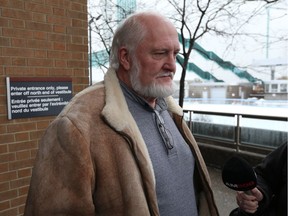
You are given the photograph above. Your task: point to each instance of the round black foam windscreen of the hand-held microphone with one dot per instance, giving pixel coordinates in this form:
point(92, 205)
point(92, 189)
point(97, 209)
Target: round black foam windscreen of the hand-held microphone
point(238, 175)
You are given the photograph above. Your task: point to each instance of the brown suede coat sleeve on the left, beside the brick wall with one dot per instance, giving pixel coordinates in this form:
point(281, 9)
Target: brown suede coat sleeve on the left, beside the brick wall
point(63, 177)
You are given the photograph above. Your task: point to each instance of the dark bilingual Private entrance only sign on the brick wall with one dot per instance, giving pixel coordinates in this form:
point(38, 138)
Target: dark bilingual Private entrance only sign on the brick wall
point(37, 96)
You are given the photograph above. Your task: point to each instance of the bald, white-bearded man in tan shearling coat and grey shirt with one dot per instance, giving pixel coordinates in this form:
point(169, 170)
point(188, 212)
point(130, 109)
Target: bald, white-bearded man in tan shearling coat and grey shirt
point(121, 146)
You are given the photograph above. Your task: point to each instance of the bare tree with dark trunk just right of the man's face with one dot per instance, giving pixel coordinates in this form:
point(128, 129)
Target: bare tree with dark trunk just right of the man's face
point(197, 18)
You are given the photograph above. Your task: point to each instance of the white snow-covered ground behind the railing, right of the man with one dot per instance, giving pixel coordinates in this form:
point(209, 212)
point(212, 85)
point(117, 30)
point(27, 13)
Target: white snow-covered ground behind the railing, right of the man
point(242, 107)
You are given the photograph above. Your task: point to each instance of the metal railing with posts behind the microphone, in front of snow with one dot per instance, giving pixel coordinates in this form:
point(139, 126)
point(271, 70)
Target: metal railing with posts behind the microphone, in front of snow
point(235, 138)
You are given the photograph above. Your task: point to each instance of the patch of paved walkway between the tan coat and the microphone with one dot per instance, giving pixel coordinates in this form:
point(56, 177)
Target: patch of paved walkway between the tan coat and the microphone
point(225, 197)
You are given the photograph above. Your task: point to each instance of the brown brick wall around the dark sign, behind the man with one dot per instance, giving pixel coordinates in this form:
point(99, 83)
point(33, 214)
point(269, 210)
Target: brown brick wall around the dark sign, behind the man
point(38, 38)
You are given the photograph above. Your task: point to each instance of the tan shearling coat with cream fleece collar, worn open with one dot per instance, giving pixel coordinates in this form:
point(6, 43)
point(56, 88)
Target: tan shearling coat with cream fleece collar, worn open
point(92, 160)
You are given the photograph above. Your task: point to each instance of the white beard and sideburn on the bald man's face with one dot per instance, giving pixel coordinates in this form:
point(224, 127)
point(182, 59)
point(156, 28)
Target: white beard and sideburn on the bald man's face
point(152, 90)
